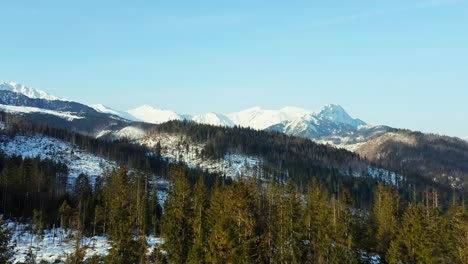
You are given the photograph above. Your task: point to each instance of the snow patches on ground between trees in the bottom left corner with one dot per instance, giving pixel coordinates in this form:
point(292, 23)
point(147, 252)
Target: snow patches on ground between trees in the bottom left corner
point(55, 246)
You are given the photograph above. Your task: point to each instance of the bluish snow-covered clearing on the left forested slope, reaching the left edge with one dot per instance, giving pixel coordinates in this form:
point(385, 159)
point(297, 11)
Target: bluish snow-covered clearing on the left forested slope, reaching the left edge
point(78, 161)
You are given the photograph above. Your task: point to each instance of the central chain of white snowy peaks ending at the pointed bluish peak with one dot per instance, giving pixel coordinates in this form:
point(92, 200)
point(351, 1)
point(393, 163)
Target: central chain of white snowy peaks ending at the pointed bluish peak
point(332, 124)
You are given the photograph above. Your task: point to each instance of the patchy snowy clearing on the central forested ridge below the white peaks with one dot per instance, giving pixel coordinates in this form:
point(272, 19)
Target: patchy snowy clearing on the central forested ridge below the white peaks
point(174, 148)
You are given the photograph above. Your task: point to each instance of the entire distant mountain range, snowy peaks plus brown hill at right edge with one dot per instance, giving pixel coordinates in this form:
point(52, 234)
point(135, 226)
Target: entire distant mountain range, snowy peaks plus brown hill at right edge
point(438, 158)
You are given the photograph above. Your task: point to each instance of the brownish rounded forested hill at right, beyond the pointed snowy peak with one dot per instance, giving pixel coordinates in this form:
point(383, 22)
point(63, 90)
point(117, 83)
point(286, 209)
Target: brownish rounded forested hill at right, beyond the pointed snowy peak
point(438, 158)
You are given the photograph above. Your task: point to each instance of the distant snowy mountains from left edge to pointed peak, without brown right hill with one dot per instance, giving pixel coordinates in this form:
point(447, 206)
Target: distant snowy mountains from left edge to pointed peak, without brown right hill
point(331, 124)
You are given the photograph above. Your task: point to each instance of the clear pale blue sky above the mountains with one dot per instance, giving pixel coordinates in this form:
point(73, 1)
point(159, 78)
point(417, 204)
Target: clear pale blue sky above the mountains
point(402, 63)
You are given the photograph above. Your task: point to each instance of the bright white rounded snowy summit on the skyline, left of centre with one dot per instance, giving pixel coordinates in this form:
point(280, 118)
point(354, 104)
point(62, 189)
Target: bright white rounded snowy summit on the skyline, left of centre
point(153, 115)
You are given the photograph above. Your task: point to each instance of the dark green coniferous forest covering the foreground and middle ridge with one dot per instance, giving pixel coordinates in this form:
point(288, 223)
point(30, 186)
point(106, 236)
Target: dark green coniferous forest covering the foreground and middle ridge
point(320, 216)
